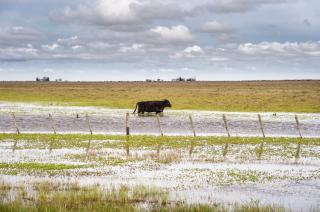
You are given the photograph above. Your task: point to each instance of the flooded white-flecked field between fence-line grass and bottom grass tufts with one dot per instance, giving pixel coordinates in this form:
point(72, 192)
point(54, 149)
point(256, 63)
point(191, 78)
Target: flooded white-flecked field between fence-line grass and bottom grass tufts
point(204, 174)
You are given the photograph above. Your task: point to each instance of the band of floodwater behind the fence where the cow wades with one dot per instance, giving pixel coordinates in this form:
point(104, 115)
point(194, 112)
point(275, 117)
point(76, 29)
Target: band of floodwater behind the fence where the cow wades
point(32, 118)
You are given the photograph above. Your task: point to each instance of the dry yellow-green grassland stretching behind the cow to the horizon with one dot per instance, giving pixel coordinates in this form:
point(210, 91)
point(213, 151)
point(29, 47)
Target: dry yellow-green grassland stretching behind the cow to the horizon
point(286, 96)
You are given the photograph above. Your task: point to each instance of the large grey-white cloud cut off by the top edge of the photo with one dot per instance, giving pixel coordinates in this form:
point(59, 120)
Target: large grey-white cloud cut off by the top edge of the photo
point(120, 12)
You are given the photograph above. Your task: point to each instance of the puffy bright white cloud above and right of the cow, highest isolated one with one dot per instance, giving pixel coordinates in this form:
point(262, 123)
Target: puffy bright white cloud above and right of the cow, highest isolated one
point(179, 33)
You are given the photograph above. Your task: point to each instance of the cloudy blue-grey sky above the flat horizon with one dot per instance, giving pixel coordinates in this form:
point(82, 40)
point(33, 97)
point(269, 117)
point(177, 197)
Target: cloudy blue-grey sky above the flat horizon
point(139, 39)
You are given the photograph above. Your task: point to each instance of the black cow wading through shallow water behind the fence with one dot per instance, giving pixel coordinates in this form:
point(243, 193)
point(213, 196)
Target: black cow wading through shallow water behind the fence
point(152, 106)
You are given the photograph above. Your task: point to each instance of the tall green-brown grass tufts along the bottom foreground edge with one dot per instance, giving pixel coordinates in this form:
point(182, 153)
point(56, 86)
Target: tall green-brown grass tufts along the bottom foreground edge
point(61, 198)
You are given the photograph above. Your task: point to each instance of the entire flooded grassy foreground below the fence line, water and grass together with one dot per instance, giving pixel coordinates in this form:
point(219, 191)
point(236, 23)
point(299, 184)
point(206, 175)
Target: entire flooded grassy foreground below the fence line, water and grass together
point(46, 172)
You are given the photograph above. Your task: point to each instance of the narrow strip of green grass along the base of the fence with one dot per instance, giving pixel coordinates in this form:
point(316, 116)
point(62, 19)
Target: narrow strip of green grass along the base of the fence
point(137, 141)
